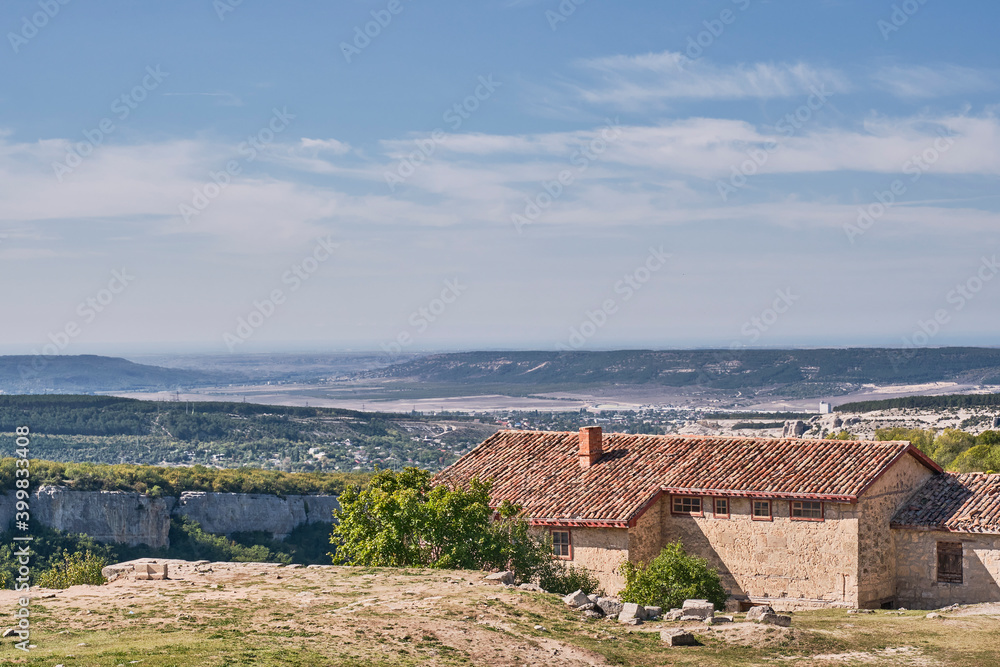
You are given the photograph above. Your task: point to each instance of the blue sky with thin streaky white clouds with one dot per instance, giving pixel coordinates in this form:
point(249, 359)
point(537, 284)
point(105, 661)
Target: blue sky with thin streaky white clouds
point(520, 174)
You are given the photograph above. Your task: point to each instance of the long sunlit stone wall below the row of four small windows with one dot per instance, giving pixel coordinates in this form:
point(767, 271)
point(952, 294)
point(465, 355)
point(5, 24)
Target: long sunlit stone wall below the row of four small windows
point(787, 563)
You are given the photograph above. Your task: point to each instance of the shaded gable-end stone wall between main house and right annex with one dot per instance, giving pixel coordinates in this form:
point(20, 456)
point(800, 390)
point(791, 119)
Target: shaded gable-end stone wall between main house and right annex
point(876, 553)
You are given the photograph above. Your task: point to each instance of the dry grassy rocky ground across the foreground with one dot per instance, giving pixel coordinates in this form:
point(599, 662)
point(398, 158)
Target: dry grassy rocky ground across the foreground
point(214, 614)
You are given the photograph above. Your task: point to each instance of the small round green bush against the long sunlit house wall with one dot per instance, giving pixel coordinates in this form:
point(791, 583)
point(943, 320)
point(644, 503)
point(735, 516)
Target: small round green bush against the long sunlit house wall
point(671, 578)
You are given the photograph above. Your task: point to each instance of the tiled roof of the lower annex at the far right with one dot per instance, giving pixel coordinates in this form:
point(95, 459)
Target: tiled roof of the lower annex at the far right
point(967, 503)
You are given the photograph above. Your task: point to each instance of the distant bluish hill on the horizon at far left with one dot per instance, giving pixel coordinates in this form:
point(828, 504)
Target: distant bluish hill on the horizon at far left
point(35, 374)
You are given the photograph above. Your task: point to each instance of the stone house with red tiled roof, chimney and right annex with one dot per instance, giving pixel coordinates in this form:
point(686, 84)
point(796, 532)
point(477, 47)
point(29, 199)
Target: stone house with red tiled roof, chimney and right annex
point(789, 522)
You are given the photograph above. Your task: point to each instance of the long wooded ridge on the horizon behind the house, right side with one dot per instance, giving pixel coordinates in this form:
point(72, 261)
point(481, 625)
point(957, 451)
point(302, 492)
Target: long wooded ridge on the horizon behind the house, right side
point(715, 369)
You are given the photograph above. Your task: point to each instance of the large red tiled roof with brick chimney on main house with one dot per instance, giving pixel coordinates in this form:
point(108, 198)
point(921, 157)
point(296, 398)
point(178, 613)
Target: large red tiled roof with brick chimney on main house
point(540, 471)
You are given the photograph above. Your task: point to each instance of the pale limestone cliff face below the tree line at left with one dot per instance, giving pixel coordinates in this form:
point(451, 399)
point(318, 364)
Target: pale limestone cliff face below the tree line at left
point(134, 519)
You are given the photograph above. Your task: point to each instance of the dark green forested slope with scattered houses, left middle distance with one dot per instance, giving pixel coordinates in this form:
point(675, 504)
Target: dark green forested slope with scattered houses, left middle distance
point(105, 429)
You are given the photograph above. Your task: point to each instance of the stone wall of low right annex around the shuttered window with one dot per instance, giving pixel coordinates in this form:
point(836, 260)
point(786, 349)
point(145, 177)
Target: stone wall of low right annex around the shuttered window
point(917, 586)
